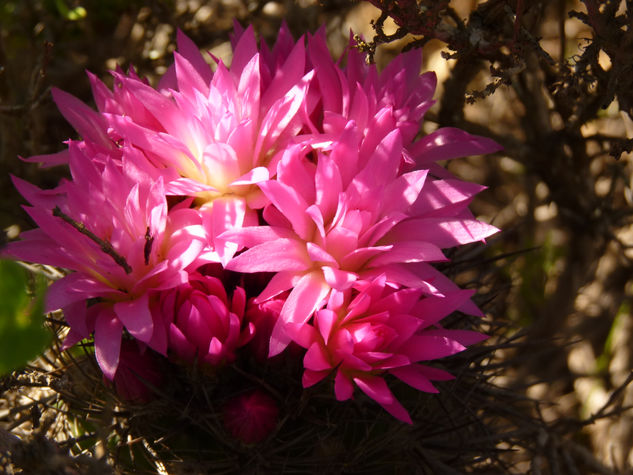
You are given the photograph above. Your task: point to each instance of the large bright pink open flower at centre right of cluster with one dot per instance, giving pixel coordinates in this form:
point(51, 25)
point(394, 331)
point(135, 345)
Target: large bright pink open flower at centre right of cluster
point(351, 216)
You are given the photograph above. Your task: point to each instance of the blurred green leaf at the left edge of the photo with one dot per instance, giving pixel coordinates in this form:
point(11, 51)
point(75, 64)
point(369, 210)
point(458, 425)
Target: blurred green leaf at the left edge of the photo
point(22, 332)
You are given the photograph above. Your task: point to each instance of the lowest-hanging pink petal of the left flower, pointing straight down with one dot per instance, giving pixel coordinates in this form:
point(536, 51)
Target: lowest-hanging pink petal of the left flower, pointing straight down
point(108, 330)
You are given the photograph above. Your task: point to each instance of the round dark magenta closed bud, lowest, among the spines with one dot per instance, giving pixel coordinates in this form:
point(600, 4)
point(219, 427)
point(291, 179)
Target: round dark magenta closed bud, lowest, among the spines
point(251, 417)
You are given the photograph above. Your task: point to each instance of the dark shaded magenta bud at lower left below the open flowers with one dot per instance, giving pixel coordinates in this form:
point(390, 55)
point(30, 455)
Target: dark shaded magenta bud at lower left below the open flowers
point(138, 368)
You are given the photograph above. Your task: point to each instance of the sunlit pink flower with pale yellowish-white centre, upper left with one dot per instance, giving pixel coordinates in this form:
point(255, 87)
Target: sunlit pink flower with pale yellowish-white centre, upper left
point(211, 135)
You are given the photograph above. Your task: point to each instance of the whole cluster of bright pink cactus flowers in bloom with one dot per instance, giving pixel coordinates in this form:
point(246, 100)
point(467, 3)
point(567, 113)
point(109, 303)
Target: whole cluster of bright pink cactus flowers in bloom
point(284, 165)
